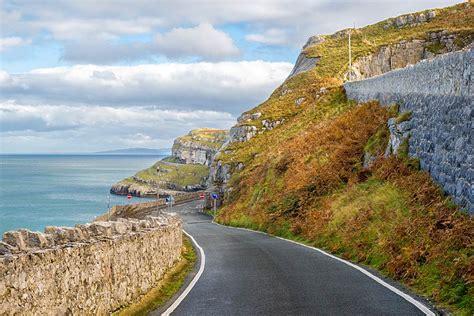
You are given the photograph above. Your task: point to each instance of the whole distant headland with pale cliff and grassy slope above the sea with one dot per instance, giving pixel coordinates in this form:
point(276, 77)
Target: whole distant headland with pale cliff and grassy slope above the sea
point(186, 170)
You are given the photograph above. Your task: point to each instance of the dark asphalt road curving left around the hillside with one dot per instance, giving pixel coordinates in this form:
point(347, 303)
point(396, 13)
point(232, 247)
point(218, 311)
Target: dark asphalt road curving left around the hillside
point(248, 273)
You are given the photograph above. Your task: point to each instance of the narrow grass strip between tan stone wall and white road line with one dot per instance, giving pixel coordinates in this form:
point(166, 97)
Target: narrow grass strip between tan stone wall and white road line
point(169, 286)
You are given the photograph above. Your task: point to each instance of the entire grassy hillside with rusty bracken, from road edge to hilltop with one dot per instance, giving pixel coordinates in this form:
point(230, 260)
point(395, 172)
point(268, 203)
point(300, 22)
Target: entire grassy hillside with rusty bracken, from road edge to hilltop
point(305, 180)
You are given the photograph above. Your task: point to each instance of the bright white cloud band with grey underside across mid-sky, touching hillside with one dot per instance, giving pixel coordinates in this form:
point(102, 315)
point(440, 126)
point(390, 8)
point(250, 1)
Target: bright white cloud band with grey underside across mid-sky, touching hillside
point(224, 86)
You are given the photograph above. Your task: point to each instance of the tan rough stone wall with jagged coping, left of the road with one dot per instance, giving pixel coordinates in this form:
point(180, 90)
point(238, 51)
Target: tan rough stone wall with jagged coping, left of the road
point(90, 269)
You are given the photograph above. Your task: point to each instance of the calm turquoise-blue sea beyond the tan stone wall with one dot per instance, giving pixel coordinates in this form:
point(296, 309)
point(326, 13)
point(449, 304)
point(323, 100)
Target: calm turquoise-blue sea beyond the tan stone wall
point(61, 190)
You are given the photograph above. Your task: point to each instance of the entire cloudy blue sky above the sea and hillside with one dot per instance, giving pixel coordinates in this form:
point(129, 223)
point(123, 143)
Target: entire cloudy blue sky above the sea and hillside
point(90, 75)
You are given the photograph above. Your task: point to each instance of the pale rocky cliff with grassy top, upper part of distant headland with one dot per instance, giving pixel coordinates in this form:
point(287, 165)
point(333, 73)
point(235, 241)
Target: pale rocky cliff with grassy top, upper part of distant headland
point(199, 146)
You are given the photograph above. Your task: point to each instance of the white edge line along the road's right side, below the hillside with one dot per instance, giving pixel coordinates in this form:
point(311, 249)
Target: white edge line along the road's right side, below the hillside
point(407, 297)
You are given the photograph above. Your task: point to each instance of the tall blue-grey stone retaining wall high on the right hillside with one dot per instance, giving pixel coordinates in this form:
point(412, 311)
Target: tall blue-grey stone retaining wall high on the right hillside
point(438, 93)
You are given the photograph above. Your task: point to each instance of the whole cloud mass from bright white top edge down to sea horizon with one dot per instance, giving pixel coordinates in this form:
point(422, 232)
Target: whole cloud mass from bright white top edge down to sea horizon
point(90, 108)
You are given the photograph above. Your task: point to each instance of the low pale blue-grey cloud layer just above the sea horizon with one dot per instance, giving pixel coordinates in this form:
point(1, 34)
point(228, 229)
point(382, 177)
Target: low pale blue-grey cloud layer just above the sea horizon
point(28, 128)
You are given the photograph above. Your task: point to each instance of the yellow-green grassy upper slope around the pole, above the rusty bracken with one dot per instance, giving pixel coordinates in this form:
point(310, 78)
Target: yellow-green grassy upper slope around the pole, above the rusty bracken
point(333, 61)
